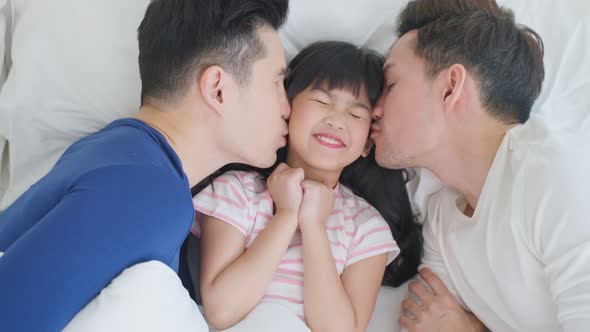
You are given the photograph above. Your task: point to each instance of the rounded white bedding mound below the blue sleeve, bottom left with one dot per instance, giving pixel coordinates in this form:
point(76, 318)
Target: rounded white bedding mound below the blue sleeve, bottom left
point(146, 297)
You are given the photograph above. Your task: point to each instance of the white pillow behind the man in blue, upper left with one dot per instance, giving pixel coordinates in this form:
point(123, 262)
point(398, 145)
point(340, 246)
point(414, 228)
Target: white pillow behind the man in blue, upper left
point(74, 70)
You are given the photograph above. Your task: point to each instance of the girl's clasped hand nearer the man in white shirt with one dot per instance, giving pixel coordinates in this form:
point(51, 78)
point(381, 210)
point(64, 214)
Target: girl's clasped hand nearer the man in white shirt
point(318, 202)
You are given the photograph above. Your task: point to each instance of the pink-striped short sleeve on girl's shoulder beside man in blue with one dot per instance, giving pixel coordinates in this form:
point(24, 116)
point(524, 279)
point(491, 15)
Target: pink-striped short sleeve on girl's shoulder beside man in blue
point(225, 199)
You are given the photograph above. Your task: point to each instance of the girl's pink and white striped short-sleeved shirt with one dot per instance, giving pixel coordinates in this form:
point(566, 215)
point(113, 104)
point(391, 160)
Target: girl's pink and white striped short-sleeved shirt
point(355, 230)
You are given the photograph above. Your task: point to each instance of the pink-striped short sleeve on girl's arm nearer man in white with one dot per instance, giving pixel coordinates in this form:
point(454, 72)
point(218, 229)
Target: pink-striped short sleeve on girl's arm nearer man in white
point(372, 237)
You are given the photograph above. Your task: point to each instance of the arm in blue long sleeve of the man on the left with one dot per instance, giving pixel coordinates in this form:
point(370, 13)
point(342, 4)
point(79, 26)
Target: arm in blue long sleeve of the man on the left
point(111, 219)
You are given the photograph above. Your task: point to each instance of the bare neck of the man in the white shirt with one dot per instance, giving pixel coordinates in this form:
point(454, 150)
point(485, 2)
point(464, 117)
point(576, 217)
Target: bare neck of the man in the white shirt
point(466, 164)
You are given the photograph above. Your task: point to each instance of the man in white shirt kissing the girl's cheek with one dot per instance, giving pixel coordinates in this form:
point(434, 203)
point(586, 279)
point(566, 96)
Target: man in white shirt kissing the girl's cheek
point(507, 242)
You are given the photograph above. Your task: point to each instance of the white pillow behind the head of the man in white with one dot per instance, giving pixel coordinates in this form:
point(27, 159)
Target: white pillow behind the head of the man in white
point(565, 29)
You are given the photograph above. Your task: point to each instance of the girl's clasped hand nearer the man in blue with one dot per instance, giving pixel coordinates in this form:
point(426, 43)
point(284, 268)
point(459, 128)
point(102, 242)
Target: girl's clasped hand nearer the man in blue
point(284, 186)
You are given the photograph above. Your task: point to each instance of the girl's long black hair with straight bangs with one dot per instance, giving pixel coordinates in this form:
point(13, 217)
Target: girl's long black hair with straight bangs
point(344, 66)
